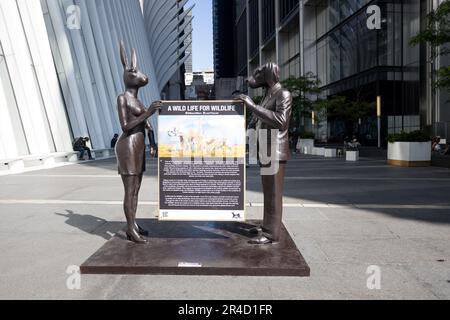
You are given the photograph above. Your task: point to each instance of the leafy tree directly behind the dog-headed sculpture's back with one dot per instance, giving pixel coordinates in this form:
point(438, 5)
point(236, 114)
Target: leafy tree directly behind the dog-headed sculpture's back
point(304, 89)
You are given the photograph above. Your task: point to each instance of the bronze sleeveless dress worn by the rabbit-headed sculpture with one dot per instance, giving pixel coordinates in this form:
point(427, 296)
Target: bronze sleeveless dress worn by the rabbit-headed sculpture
point(130, 148)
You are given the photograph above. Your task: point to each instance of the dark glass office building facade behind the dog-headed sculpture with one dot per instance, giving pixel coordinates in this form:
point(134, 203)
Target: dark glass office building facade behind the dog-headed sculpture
point(332, 39)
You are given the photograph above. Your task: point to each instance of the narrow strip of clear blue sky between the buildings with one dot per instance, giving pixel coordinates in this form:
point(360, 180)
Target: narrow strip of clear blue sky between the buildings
point(202, 35)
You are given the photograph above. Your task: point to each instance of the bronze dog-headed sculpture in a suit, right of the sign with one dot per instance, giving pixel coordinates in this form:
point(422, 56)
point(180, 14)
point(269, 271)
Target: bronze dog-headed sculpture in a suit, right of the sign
point(274, 113)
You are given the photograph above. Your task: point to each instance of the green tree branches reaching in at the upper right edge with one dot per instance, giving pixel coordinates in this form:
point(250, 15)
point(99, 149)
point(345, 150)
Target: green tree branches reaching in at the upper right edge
point(437, 35)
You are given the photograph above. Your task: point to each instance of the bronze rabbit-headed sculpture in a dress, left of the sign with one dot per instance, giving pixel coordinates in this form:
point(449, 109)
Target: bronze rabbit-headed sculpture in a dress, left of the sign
point(130, 148)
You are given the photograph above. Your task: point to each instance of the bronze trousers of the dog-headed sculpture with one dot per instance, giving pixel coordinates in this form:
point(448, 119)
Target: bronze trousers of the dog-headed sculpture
point(273, 186)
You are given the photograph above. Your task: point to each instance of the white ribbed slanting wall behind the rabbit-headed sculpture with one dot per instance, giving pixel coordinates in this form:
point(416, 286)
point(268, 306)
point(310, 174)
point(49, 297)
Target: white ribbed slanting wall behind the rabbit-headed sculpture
point(58, 82)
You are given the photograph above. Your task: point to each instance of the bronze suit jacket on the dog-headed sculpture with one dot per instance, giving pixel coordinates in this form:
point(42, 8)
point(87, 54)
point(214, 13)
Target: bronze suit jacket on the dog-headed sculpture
point(274, 114)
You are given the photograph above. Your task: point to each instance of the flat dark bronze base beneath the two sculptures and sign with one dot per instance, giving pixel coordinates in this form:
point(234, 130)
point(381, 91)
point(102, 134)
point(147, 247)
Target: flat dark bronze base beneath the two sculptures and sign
point(198, 248)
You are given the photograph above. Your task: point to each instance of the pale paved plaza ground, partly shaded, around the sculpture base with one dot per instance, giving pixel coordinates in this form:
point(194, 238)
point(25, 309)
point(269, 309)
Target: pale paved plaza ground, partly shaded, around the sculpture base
point(344, 217)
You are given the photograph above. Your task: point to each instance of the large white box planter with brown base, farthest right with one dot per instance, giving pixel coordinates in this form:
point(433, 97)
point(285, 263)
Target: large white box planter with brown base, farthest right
point(409, 154)
